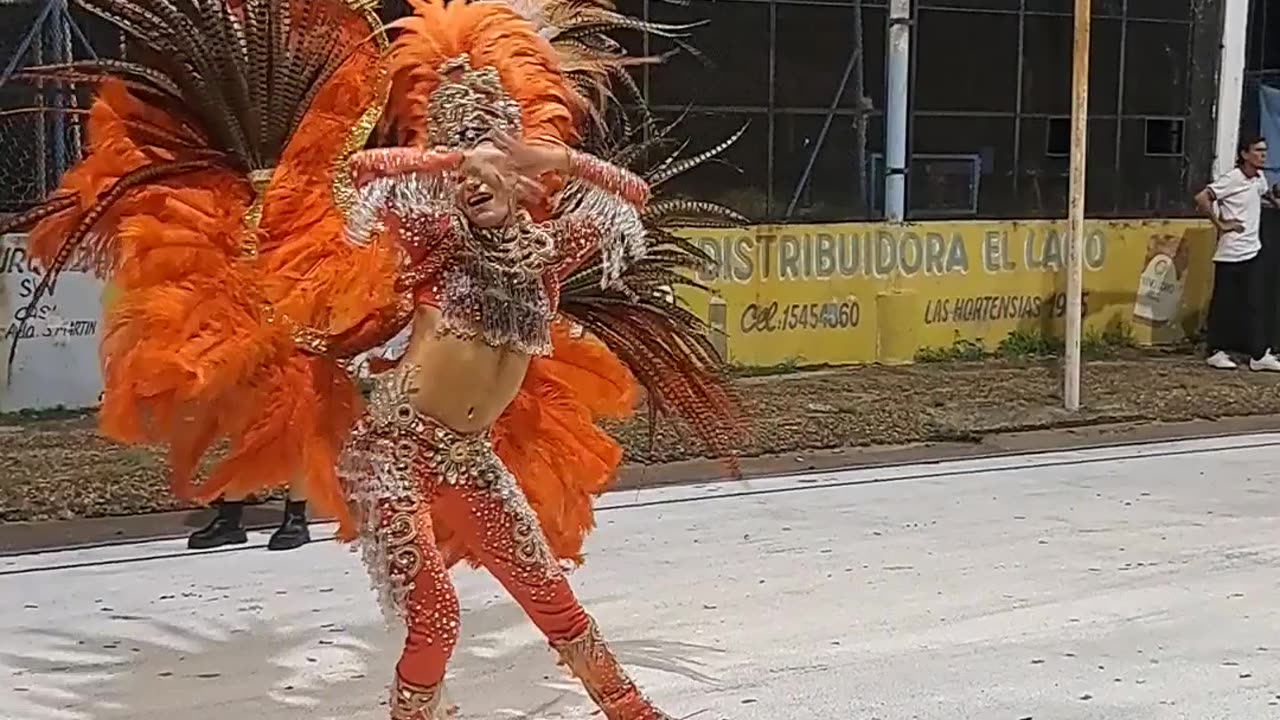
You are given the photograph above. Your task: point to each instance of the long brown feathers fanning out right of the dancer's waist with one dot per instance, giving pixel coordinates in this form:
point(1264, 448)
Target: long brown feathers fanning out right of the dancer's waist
point(643, 321)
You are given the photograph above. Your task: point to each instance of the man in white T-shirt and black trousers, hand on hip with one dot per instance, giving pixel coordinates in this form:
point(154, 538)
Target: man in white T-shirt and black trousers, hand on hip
point(1237, 313)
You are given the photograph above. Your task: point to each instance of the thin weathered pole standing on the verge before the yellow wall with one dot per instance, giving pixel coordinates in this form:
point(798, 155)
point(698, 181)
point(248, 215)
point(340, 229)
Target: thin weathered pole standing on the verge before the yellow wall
point(1076, 207)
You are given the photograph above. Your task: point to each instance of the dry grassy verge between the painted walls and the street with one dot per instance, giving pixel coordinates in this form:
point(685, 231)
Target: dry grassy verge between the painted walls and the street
point(61, 470)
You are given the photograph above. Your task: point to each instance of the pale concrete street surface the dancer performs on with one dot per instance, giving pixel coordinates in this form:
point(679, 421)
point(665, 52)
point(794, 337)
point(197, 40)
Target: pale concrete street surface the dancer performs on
point(1123, 584)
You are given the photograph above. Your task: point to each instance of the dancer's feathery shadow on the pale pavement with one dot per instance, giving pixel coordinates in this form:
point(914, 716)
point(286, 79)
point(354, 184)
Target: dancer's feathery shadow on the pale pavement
point(228, 669)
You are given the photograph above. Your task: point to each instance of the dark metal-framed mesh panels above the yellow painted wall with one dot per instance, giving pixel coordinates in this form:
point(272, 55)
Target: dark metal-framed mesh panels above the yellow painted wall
point(991, 80)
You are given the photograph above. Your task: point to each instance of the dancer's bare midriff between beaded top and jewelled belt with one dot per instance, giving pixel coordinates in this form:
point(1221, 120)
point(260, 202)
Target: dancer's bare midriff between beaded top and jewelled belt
point(461, 382)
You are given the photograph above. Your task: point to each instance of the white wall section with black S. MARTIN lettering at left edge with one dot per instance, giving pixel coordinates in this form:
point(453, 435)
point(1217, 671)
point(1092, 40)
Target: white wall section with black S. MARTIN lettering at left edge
point(57, 362)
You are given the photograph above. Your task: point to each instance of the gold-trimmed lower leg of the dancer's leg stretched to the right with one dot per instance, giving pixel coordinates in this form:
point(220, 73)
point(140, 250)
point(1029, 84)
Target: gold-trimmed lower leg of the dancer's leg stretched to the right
point(593, 663)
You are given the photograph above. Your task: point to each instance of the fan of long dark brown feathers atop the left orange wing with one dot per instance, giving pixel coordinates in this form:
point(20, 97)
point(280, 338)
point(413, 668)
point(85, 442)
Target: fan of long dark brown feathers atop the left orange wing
point(226, 83)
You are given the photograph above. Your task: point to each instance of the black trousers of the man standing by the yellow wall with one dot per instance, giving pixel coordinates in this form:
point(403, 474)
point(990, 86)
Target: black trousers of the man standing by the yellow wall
point(1237, 321)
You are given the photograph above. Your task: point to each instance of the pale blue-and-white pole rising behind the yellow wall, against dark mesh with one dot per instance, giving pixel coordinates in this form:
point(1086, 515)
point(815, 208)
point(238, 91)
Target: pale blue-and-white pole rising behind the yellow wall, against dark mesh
point(895, 110)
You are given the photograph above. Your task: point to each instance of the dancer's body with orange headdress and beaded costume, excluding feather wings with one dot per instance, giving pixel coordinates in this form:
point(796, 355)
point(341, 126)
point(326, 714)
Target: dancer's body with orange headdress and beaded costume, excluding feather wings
point(484, 252)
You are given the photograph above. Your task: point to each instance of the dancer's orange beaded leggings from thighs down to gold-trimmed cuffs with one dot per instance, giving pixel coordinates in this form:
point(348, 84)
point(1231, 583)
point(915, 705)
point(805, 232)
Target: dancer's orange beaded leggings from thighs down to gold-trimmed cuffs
point(502, 531)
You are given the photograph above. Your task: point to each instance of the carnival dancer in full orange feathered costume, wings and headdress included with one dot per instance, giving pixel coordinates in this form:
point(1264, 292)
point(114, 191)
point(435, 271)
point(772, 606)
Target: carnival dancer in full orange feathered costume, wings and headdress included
point(216, 195)
